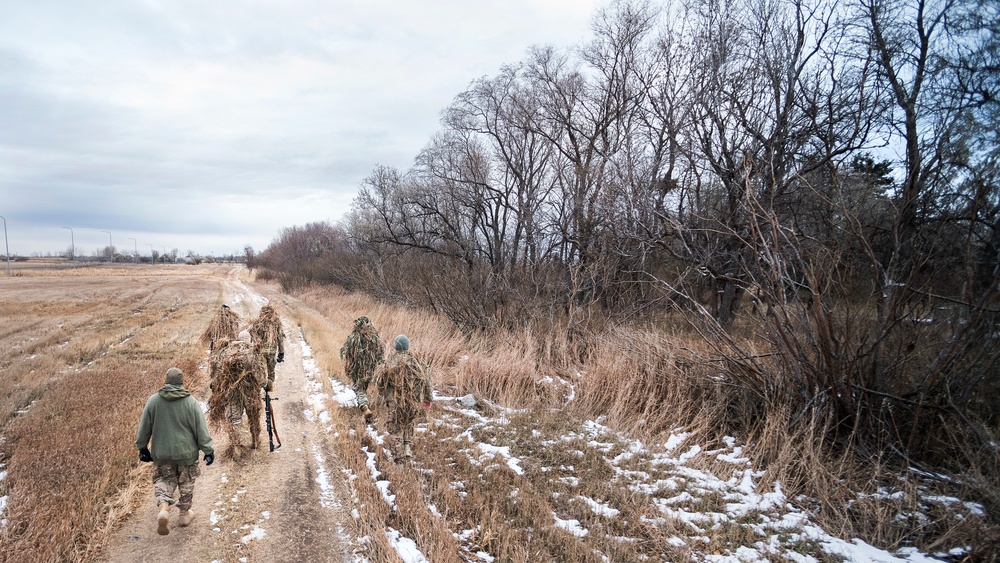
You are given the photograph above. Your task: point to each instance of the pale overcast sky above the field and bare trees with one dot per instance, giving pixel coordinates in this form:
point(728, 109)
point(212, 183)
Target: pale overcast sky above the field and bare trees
point(208, 125)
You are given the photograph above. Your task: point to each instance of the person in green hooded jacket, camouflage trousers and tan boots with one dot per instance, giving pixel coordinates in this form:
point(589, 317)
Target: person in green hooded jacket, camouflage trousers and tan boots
point(172, 430)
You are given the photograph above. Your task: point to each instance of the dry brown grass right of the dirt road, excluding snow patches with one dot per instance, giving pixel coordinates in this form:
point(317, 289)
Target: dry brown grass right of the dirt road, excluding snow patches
point(643, 383)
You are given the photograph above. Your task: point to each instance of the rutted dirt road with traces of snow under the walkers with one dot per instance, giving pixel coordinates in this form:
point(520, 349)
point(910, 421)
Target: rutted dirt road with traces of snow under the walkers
point(279, 506)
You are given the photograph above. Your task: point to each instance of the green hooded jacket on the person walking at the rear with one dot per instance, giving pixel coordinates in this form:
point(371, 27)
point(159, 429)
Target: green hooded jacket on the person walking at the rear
point(176, 425)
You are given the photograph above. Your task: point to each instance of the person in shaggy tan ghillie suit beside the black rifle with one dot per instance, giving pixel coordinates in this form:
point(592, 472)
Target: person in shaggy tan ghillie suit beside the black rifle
point(238, 371)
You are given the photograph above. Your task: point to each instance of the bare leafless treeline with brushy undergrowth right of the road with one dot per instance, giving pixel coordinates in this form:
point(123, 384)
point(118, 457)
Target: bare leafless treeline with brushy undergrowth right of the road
point(811, 185)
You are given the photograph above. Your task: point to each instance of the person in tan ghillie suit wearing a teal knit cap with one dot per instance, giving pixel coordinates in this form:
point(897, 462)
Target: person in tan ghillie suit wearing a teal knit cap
point(403, 383)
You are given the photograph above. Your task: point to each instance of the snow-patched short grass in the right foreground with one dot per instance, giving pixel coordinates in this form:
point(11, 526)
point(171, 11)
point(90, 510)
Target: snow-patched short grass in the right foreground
point(607, 495)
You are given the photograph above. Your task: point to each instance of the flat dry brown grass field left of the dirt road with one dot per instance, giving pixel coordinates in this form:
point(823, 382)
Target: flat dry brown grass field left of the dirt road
point(83, 355)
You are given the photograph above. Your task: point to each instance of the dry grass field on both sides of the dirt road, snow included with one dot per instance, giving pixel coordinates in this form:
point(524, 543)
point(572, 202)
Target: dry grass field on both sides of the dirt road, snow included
point(619, 458)
